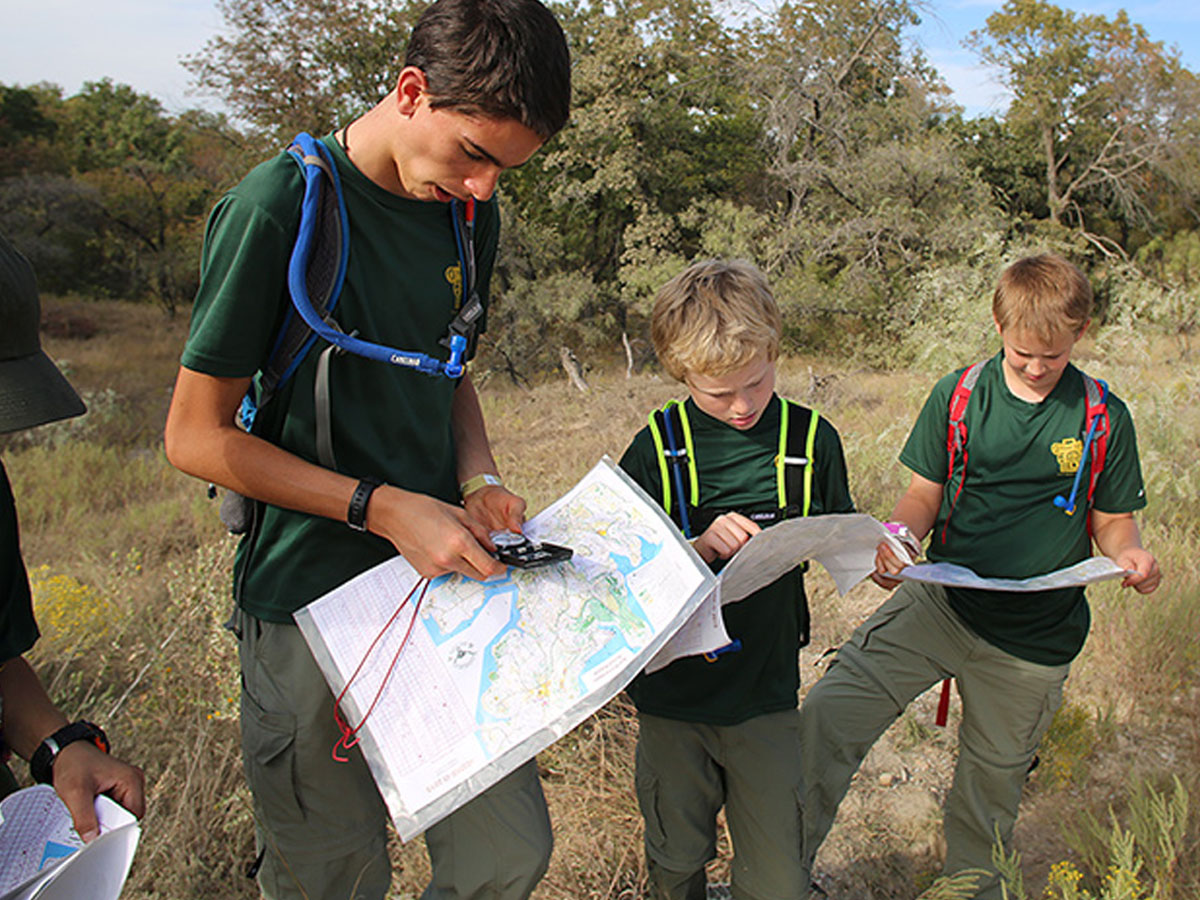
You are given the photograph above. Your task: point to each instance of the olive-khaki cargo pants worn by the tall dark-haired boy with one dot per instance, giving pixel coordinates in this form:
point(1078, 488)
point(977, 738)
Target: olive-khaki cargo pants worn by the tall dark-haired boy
point(321, 825)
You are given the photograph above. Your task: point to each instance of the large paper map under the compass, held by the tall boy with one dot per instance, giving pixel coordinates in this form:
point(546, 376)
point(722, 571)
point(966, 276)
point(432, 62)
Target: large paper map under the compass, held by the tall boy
point(495, 673)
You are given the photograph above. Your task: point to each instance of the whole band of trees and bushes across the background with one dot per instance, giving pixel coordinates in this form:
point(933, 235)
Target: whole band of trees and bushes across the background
point(807, 137)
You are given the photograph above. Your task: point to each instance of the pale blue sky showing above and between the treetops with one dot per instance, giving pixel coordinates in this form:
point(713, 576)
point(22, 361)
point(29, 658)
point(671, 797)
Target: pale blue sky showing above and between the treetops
point(141, 43)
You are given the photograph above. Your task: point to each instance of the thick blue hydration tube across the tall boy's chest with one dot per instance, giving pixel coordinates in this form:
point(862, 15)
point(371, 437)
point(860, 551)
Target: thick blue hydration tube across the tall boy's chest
point(298, 269)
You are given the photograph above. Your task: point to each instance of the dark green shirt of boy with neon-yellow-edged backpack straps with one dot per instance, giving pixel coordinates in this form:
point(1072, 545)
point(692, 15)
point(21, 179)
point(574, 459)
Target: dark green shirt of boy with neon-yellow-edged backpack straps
point(737, 471)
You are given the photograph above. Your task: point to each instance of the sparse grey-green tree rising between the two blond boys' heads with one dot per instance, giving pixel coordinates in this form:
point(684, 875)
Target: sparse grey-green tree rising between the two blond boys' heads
point(868, 188)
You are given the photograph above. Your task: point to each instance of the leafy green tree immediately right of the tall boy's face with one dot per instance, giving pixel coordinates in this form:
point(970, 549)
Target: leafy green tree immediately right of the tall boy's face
point(661, 129)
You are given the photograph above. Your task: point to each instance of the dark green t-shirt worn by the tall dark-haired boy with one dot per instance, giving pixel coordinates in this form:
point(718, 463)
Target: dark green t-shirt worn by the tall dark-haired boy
point(403, 290)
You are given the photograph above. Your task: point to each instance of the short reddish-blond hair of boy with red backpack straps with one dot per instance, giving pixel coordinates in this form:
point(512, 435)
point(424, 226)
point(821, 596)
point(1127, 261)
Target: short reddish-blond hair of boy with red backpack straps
point(1045, 296)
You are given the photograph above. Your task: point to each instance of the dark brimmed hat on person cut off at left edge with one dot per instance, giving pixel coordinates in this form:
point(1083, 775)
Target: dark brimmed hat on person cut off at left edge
point(33, 392)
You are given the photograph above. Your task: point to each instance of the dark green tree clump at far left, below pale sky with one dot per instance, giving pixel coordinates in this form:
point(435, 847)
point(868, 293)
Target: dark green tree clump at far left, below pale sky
point(115, 194)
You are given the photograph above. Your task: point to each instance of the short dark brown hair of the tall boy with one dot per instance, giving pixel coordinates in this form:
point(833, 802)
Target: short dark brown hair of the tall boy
point(506, 59)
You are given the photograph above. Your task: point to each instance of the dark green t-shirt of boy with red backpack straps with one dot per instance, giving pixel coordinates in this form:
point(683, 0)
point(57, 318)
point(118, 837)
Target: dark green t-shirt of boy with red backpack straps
point(1005, 525)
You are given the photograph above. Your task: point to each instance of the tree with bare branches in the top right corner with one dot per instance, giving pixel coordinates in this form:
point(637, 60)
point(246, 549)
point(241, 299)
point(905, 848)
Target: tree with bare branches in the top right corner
point(1100, 103)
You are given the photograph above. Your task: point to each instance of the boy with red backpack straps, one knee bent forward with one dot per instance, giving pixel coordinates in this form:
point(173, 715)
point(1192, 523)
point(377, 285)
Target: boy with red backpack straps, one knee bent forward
point(1006, 508)
